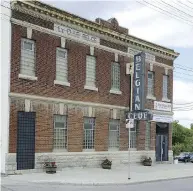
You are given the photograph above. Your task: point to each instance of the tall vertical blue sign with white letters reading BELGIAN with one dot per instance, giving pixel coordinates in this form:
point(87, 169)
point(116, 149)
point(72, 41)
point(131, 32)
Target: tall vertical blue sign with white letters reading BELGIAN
point(139, 81)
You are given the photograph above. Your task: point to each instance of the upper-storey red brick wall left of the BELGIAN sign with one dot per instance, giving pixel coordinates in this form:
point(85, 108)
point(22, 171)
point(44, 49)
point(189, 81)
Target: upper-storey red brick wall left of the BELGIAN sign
point(46, 67)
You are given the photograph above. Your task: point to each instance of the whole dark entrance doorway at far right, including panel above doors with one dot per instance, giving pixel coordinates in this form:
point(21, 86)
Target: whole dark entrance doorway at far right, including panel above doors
point(162, 131)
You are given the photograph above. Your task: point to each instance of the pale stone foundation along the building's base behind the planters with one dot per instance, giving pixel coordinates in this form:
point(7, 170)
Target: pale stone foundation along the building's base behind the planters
point(79, 159)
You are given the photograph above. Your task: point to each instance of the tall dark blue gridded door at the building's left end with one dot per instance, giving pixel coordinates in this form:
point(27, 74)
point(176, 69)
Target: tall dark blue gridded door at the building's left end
point(26, 140)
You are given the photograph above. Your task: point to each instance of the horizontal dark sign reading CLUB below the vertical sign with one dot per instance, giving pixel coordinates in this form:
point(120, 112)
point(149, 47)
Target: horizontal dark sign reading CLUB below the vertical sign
point(139, 115)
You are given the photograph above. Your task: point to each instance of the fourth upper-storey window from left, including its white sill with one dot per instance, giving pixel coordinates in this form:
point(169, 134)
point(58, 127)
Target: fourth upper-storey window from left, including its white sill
point(115, 78)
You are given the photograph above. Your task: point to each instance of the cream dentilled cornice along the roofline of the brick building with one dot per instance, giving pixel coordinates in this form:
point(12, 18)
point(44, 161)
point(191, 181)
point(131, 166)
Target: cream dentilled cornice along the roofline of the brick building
point(75, 26)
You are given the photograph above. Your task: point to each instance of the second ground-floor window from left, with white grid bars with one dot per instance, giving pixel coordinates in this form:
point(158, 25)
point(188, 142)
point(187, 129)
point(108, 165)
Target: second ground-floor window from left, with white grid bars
point(89, 128)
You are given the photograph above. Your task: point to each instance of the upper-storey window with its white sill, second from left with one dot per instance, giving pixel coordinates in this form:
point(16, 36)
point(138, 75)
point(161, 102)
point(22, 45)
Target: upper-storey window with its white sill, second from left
point(61, 68)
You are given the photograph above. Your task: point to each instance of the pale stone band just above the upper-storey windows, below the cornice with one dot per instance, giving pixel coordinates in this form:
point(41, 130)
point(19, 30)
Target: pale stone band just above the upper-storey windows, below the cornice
point(54, 33)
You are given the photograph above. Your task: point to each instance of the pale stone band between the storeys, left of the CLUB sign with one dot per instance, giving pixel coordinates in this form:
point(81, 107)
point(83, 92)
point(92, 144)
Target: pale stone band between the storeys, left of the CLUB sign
point(49, 99)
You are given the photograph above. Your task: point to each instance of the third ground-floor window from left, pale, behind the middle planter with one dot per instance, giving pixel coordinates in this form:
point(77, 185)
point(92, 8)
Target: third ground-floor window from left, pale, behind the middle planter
point(114, 133)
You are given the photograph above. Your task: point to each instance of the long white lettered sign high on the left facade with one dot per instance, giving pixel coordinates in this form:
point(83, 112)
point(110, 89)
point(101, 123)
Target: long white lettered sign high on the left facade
point(66, 31)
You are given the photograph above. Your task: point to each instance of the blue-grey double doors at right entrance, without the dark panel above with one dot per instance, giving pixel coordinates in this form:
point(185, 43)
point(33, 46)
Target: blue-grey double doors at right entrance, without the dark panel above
point(161, 147)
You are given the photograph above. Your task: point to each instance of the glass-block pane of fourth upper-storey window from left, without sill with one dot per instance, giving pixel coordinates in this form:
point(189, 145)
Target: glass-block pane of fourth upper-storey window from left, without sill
point(115, 76)
